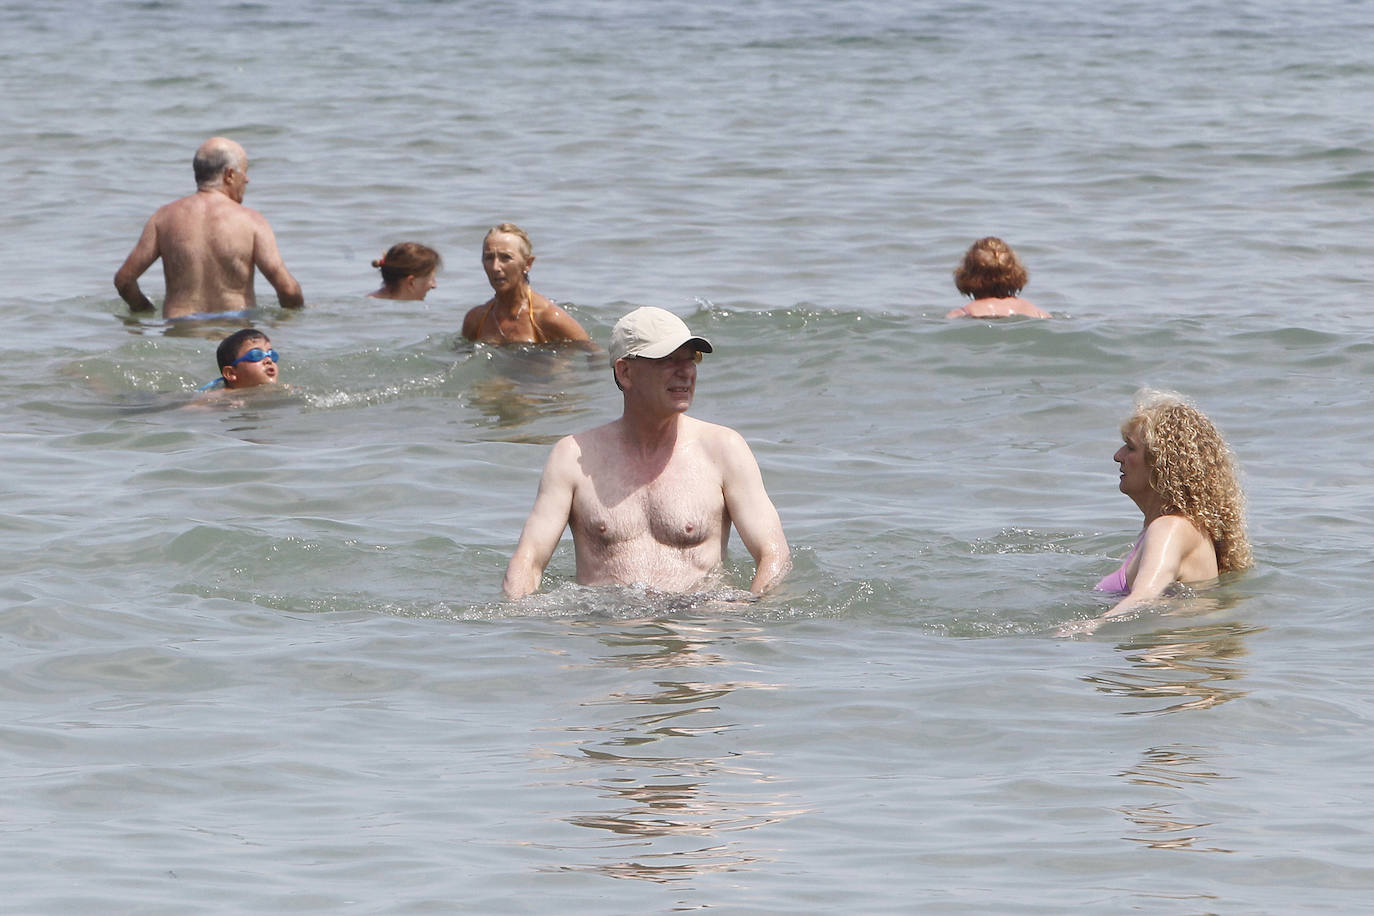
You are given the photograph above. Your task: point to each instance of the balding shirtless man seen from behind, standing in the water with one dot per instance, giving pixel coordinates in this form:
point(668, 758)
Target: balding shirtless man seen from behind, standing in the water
point(210, 244)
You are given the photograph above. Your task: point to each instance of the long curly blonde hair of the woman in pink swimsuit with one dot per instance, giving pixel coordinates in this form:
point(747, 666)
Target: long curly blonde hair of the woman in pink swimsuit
point(1195, 472)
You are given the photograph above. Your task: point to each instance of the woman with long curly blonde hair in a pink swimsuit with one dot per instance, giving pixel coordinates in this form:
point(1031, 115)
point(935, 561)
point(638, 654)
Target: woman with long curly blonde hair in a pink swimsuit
point(1180, 470)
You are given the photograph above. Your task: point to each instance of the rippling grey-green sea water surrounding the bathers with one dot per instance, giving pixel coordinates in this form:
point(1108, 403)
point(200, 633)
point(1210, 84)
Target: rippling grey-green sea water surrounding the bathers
point(255, 657)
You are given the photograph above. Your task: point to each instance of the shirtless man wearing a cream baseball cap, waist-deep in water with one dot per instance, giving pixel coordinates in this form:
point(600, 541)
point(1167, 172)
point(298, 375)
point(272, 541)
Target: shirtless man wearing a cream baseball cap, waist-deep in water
point(652, 496)
